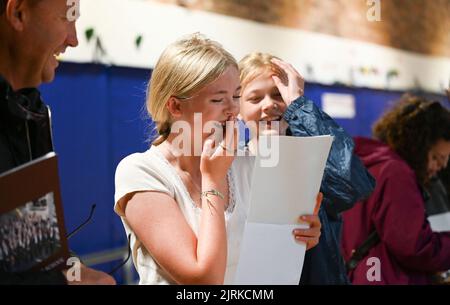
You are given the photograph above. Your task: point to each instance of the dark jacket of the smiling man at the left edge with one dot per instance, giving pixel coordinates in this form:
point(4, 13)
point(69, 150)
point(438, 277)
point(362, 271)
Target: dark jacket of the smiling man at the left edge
point(25, 134)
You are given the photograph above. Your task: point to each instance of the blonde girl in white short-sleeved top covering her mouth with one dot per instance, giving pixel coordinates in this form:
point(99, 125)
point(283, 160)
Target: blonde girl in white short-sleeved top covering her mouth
point(186, 209)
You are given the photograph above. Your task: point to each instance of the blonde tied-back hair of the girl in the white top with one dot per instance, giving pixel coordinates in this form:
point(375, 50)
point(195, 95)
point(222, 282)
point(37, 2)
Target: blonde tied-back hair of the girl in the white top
point(184, 68)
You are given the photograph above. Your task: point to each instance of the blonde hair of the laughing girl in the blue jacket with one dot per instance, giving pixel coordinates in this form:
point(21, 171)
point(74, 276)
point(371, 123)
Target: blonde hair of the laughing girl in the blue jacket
point(254, 64)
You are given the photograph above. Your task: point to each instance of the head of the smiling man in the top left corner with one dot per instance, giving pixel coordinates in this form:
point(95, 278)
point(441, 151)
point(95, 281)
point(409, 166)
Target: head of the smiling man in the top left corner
point(34, 32)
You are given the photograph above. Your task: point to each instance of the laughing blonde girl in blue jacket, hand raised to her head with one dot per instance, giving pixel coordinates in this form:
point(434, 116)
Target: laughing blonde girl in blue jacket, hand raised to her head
point(273, 91)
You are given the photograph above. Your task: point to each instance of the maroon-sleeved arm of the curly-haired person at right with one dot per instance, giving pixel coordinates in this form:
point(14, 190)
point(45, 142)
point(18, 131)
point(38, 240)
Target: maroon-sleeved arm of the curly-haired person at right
point(402, 225)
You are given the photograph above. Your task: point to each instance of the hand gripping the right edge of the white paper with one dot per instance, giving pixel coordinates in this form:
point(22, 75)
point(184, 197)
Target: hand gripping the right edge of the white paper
point(310, 236)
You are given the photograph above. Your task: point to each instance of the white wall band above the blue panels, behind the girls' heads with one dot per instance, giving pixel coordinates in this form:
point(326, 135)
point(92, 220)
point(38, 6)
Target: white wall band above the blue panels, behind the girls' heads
point(119, 22)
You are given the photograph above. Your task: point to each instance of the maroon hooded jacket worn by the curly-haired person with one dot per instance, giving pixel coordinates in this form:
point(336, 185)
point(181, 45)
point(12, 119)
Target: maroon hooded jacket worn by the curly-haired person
point(409, 252)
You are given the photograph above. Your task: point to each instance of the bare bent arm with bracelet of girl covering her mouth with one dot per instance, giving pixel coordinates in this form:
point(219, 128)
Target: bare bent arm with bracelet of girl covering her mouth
point(164, 231)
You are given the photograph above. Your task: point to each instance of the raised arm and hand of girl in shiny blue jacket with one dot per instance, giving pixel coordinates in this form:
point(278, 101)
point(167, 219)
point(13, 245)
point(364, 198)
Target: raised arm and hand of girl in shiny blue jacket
point(345, 180)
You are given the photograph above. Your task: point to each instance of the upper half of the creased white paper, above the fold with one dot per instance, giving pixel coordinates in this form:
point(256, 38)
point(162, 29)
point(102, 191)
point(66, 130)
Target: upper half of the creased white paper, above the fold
point(282, 193)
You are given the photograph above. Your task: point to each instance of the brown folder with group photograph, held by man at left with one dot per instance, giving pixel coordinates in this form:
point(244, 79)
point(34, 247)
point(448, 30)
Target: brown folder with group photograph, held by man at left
point(32, 230)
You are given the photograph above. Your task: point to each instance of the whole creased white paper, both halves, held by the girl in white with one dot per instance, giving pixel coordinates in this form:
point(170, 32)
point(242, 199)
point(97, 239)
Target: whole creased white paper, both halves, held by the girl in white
point(269, 253)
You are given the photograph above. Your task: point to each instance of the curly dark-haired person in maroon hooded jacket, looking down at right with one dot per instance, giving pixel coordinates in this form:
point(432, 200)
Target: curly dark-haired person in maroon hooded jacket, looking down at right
point(388, 240)
